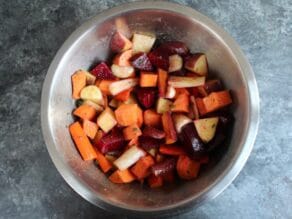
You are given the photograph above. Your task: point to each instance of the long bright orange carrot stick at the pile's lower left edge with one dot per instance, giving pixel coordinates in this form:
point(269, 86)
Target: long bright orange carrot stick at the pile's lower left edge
point(82, 142)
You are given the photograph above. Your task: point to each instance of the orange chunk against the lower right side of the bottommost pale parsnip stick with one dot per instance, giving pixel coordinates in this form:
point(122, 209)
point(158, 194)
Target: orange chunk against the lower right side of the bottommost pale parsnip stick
point(141, 168)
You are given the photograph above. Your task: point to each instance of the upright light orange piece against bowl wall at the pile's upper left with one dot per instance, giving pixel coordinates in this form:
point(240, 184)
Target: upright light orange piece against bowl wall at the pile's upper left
point(78, 83)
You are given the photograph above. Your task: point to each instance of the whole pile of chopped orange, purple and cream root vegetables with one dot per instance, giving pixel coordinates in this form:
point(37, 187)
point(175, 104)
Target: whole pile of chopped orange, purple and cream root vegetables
point(149, 115)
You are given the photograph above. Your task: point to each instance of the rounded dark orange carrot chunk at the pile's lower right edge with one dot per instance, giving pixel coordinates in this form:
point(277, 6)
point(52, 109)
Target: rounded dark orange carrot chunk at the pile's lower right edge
point(187, 168)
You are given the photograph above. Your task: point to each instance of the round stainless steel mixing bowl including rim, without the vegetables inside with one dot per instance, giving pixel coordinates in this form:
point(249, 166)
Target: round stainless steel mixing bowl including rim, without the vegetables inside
point(88, 44)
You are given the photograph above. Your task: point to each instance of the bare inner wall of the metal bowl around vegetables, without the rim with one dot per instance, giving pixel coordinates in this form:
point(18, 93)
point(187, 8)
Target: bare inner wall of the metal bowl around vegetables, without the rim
point(91, 46)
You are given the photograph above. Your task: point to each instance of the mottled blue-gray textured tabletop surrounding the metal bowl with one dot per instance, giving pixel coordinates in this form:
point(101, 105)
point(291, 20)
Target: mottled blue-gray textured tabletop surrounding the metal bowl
point(30, 34)
